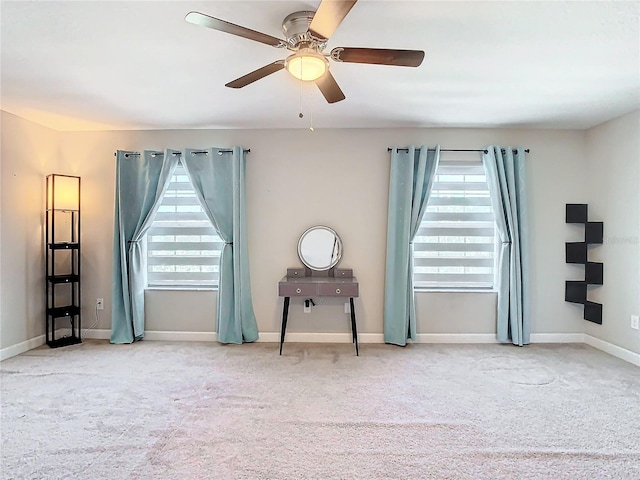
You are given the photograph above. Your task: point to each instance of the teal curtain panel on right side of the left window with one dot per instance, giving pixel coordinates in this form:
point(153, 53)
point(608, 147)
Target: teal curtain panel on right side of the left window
point(218, 176)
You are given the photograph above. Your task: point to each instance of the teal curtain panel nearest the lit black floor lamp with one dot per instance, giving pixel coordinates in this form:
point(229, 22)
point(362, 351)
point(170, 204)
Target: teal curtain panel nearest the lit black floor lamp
point(141, 180)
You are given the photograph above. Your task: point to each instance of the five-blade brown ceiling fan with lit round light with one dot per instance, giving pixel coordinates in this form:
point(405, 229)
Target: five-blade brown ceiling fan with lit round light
point(306, 35)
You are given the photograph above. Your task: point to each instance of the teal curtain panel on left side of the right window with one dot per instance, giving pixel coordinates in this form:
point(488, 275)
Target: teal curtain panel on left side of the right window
point(410, 181)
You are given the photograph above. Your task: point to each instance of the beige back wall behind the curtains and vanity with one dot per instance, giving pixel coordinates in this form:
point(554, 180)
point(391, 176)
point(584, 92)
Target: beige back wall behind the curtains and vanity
point(296, 178)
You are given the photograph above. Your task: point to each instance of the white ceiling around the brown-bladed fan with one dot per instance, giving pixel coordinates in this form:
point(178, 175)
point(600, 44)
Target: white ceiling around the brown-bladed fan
point(96, 65)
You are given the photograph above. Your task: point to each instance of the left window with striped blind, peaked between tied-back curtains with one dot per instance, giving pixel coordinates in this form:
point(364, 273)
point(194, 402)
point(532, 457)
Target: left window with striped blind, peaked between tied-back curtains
point(183, 248)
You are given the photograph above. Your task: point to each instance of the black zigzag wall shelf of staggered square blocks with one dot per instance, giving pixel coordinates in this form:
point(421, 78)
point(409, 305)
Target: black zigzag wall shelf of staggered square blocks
point(577, 253)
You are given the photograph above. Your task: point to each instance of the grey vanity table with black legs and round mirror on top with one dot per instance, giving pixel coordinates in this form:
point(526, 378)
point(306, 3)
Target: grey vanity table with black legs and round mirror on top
point(320, 250)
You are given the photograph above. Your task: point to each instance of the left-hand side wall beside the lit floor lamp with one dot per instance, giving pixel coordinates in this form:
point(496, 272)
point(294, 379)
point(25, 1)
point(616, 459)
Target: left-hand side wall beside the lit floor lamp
point(29, 153)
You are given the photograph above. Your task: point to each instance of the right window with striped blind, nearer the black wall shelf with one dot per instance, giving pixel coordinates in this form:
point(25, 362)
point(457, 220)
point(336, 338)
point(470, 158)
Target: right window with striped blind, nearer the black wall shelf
point(456, 242)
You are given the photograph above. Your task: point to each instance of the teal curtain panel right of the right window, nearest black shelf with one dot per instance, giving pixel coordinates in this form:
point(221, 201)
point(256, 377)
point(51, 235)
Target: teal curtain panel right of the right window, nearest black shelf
point(505, 169)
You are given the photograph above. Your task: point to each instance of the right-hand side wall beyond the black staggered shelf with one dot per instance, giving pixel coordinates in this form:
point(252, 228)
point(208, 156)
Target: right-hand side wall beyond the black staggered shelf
point(613, 153)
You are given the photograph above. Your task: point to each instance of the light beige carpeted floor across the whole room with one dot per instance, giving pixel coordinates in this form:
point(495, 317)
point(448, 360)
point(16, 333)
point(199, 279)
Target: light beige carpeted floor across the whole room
point(160, 410)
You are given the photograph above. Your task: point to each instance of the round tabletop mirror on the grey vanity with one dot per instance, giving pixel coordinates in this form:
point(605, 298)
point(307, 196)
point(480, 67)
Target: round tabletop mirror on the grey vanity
point(320, 248)
